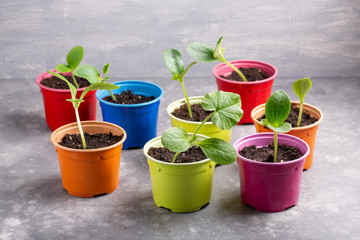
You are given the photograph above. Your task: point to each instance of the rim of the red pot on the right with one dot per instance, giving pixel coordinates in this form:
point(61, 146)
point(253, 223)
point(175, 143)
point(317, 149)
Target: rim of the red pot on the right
point(271, 78)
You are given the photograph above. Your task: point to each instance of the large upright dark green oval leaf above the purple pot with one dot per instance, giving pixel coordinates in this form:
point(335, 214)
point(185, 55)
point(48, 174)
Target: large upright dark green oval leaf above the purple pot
point(277, 108)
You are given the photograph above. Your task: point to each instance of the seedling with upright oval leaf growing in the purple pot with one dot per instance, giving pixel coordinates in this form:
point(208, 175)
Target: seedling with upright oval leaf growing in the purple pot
point(277, 109)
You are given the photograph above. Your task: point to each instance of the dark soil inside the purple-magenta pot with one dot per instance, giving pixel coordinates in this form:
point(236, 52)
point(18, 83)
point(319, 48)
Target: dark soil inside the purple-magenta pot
point(285, 153)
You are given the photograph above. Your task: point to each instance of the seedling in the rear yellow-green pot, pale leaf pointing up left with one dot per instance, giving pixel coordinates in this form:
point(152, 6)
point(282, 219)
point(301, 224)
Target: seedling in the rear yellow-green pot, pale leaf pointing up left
point(175, 64)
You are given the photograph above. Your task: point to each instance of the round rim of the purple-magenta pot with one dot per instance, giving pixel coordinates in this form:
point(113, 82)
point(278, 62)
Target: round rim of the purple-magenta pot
point(267, 134)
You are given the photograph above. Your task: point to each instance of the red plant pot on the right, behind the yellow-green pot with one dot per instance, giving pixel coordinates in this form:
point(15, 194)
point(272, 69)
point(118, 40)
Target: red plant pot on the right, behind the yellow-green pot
point(252, 94)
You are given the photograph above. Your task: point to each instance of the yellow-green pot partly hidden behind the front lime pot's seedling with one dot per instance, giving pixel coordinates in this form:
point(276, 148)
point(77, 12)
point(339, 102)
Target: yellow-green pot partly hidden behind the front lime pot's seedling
point(208, 129)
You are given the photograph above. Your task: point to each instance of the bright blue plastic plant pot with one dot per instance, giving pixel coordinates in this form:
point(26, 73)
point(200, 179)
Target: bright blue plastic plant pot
point(138, 120)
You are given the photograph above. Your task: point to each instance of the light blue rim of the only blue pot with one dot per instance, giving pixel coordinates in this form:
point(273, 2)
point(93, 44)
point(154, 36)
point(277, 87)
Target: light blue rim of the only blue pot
point(119, 83)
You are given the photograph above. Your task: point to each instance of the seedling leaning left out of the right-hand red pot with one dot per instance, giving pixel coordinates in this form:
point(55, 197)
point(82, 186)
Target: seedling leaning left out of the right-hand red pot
point(204, 53)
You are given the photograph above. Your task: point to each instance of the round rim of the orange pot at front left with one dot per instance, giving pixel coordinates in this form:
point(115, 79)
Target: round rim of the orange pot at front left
point(74, 124)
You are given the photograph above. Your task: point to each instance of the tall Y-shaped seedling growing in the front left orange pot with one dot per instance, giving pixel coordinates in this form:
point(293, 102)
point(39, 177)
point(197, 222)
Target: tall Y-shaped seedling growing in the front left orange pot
point(77, 101)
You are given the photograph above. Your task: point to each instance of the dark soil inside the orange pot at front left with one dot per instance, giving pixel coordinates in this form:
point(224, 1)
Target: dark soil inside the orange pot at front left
point(93, 141)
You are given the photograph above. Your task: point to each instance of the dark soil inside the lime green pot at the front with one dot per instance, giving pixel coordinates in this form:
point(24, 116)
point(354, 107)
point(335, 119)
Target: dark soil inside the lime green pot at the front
point(193, 154)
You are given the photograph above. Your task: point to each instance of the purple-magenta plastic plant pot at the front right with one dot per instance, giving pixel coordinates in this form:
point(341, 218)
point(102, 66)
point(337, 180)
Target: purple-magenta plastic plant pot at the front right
point(270, 187)
